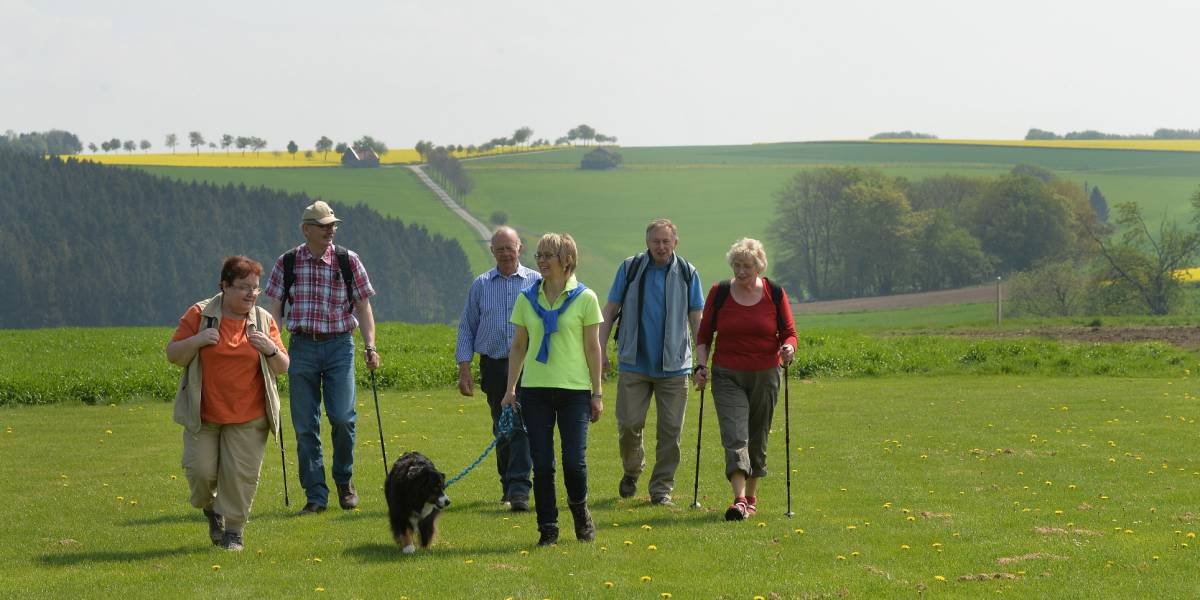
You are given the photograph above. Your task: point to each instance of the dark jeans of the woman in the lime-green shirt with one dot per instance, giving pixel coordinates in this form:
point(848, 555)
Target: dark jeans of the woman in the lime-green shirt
point(572, 410)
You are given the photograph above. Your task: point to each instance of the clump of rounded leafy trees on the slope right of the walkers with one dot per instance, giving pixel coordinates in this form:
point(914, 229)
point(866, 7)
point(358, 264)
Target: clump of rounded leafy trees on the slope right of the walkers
point(848, 232)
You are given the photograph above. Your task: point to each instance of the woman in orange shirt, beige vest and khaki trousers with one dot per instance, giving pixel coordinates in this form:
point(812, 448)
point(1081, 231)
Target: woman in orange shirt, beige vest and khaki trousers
point(231, 352)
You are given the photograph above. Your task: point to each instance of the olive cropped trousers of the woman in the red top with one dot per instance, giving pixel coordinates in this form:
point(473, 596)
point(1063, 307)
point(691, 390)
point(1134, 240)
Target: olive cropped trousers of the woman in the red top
point(746, 405)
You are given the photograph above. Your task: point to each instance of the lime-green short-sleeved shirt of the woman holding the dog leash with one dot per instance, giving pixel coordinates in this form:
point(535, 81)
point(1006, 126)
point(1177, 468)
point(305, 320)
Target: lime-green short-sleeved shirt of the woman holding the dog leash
point(568, 365)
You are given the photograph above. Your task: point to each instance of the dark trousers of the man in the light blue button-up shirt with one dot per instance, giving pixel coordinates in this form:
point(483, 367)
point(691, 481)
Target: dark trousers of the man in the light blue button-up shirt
point(513, 463)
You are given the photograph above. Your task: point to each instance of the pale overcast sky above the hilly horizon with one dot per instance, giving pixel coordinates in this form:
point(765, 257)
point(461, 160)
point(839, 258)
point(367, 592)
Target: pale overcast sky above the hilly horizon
point(650, 73)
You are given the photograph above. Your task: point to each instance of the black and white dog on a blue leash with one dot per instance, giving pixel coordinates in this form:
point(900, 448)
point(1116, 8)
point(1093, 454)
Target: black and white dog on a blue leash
point(416, 491)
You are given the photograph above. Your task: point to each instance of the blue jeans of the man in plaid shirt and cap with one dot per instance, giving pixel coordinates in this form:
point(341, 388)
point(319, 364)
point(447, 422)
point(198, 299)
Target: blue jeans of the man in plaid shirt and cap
point(326, 367)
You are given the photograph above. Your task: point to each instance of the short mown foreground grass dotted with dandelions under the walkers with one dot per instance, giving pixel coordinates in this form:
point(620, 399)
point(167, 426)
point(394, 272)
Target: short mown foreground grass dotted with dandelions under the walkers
point(949, 488)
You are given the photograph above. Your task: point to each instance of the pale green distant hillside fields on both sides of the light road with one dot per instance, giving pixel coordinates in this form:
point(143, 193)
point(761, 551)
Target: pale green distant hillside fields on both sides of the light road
point(715, 194)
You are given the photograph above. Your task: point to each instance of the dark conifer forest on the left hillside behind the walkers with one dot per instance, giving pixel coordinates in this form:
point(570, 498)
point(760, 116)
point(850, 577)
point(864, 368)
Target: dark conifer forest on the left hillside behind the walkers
point(93, 245)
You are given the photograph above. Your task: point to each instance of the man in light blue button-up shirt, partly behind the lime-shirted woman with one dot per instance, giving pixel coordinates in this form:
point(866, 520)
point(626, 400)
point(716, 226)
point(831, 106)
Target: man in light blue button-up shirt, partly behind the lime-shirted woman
point(485, 329)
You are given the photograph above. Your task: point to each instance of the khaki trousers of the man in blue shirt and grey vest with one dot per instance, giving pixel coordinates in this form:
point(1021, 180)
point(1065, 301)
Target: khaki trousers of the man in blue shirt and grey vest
point(634, 393)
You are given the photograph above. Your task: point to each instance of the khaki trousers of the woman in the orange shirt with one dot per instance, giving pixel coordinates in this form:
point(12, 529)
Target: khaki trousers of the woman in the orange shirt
point(223, 464)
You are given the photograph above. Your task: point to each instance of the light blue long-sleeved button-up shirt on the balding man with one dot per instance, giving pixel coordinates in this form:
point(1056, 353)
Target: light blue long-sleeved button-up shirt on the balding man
point(484, 327)
